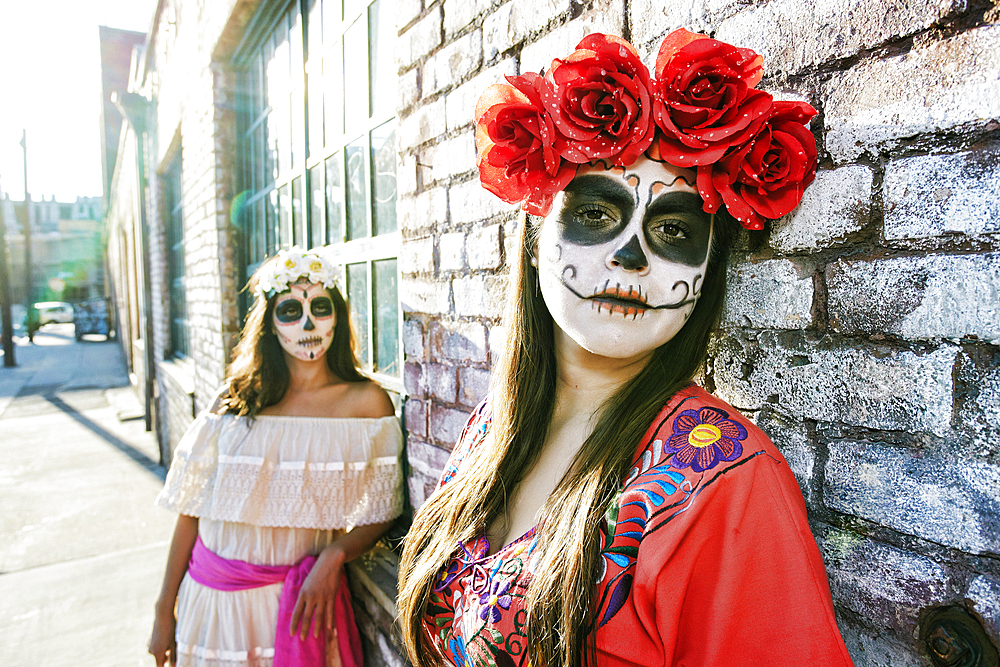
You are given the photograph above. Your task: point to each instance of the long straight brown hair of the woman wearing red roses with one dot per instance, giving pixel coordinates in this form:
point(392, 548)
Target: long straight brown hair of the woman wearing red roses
point(560, 605)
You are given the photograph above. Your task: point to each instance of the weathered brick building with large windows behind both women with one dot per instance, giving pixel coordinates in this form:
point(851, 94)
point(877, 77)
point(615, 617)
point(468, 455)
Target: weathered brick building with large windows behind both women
point(862, 331)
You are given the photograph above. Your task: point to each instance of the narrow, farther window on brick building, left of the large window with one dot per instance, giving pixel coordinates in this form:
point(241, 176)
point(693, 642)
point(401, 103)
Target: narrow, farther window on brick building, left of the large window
point(173, 206)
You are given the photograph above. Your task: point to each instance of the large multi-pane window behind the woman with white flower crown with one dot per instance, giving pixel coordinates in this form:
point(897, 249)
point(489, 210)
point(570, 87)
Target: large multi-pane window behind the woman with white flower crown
point(318, 134)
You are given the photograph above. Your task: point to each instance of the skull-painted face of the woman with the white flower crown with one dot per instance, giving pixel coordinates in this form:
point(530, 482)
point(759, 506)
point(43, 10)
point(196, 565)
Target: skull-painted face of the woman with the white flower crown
point(304, 320)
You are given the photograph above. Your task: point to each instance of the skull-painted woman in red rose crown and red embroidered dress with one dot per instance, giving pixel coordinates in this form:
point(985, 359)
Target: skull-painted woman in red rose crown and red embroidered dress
point(600, 508)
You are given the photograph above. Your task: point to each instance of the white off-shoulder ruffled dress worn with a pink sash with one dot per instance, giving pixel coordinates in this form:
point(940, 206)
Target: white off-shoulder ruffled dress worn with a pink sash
point(270, 492)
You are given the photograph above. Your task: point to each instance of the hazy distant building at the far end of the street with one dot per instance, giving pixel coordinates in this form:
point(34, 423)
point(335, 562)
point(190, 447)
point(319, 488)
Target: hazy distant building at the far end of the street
point(66, 249)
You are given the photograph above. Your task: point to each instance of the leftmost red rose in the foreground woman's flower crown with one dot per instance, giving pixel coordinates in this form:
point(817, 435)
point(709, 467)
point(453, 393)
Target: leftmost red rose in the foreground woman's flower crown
point(514, 143)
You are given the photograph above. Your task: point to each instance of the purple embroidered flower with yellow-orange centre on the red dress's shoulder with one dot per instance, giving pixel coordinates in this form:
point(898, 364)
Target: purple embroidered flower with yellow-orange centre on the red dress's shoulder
point(702, 438)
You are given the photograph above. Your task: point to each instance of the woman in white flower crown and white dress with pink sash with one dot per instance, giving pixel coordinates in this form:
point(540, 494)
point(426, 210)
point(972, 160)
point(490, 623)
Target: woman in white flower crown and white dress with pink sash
point(290, 473)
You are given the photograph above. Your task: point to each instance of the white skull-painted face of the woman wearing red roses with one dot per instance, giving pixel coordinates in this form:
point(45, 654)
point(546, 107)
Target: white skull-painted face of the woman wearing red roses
point(622, 256)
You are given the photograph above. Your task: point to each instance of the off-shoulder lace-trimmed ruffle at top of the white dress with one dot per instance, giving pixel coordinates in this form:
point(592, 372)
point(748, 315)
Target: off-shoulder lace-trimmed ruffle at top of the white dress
point(289, 472)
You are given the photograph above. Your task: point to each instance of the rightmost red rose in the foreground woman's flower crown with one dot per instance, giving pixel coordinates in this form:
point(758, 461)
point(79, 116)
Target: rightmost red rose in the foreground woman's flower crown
point(765, 177)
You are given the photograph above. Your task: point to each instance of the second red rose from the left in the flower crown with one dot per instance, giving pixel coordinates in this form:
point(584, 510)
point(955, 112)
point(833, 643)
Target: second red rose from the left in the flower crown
point(601, 103)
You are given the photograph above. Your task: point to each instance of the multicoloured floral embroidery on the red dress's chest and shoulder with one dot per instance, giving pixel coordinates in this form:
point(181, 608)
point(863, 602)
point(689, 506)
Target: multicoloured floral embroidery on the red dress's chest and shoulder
point(476, 610)
